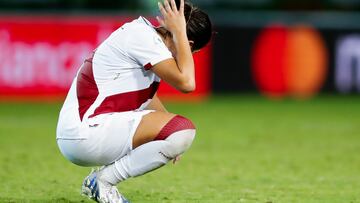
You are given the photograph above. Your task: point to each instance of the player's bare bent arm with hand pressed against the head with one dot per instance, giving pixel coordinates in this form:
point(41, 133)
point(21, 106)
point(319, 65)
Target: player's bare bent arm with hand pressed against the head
point(179, 73)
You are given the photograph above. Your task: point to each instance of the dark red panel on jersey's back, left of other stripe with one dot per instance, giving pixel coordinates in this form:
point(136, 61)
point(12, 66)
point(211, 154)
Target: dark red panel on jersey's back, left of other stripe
point(86, 88)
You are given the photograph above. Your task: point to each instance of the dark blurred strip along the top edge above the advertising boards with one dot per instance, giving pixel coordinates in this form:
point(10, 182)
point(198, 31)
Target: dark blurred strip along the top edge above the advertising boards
point(151, 5)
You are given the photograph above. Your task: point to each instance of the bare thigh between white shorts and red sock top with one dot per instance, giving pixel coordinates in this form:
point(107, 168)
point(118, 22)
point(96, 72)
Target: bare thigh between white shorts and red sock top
point(150, 126)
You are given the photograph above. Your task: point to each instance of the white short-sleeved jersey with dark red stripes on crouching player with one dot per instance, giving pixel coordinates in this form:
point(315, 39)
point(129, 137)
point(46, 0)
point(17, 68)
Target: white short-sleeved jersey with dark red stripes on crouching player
point(115, 78)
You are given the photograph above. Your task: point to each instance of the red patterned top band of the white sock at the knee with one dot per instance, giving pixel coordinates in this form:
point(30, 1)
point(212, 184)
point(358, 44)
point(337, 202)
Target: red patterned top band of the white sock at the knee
point(176, 124)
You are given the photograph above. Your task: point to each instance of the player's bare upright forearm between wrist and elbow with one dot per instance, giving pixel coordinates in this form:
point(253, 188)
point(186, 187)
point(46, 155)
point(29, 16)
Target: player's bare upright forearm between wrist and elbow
point(184, 60)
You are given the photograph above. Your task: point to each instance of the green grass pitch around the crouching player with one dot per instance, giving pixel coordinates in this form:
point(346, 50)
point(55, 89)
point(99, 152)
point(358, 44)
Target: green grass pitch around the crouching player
point(247, 149)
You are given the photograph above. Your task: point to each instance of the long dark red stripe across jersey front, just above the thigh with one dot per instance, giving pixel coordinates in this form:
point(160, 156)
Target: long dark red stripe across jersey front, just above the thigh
point(127, 101)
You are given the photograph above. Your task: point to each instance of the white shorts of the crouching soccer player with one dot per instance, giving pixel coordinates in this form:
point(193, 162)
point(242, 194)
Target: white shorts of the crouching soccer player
point(104, 139)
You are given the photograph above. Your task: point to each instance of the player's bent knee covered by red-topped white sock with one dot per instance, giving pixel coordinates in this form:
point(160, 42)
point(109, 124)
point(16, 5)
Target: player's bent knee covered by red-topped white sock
point(180, 133)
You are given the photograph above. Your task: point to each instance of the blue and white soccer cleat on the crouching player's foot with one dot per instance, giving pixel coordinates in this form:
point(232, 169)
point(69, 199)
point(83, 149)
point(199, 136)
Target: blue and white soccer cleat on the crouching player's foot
point(100, 191)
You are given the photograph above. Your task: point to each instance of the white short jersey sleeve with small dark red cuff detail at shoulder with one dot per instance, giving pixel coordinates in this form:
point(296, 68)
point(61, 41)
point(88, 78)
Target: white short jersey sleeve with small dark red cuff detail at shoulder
point(147, 47)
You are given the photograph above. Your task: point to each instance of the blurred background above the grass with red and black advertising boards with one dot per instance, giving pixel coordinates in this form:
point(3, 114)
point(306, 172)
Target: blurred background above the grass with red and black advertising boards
point(279, 48)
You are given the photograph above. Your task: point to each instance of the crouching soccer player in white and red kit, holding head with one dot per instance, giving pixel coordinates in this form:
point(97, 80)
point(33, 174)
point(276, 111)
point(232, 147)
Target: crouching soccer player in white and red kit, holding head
point(112, 116)
